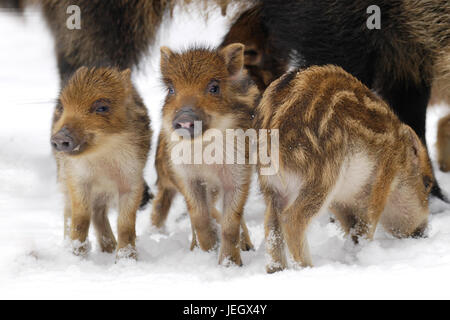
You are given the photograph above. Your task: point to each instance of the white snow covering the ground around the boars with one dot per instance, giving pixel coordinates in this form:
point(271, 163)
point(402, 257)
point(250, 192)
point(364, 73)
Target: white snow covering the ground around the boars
point(36, 263)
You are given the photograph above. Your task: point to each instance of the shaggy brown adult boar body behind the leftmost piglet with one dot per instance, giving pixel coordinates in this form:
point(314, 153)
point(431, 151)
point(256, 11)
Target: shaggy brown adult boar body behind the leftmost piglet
point(113, 33)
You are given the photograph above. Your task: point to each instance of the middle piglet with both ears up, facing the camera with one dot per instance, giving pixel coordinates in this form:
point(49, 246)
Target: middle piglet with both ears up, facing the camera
point(209, 95)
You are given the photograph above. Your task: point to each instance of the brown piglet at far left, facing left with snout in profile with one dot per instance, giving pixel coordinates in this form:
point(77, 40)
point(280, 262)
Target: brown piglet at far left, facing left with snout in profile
point(101, 139)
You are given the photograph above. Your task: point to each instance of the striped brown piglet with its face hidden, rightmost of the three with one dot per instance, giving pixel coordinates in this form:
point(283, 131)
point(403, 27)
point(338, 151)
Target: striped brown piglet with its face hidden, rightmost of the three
point(341, 148)
